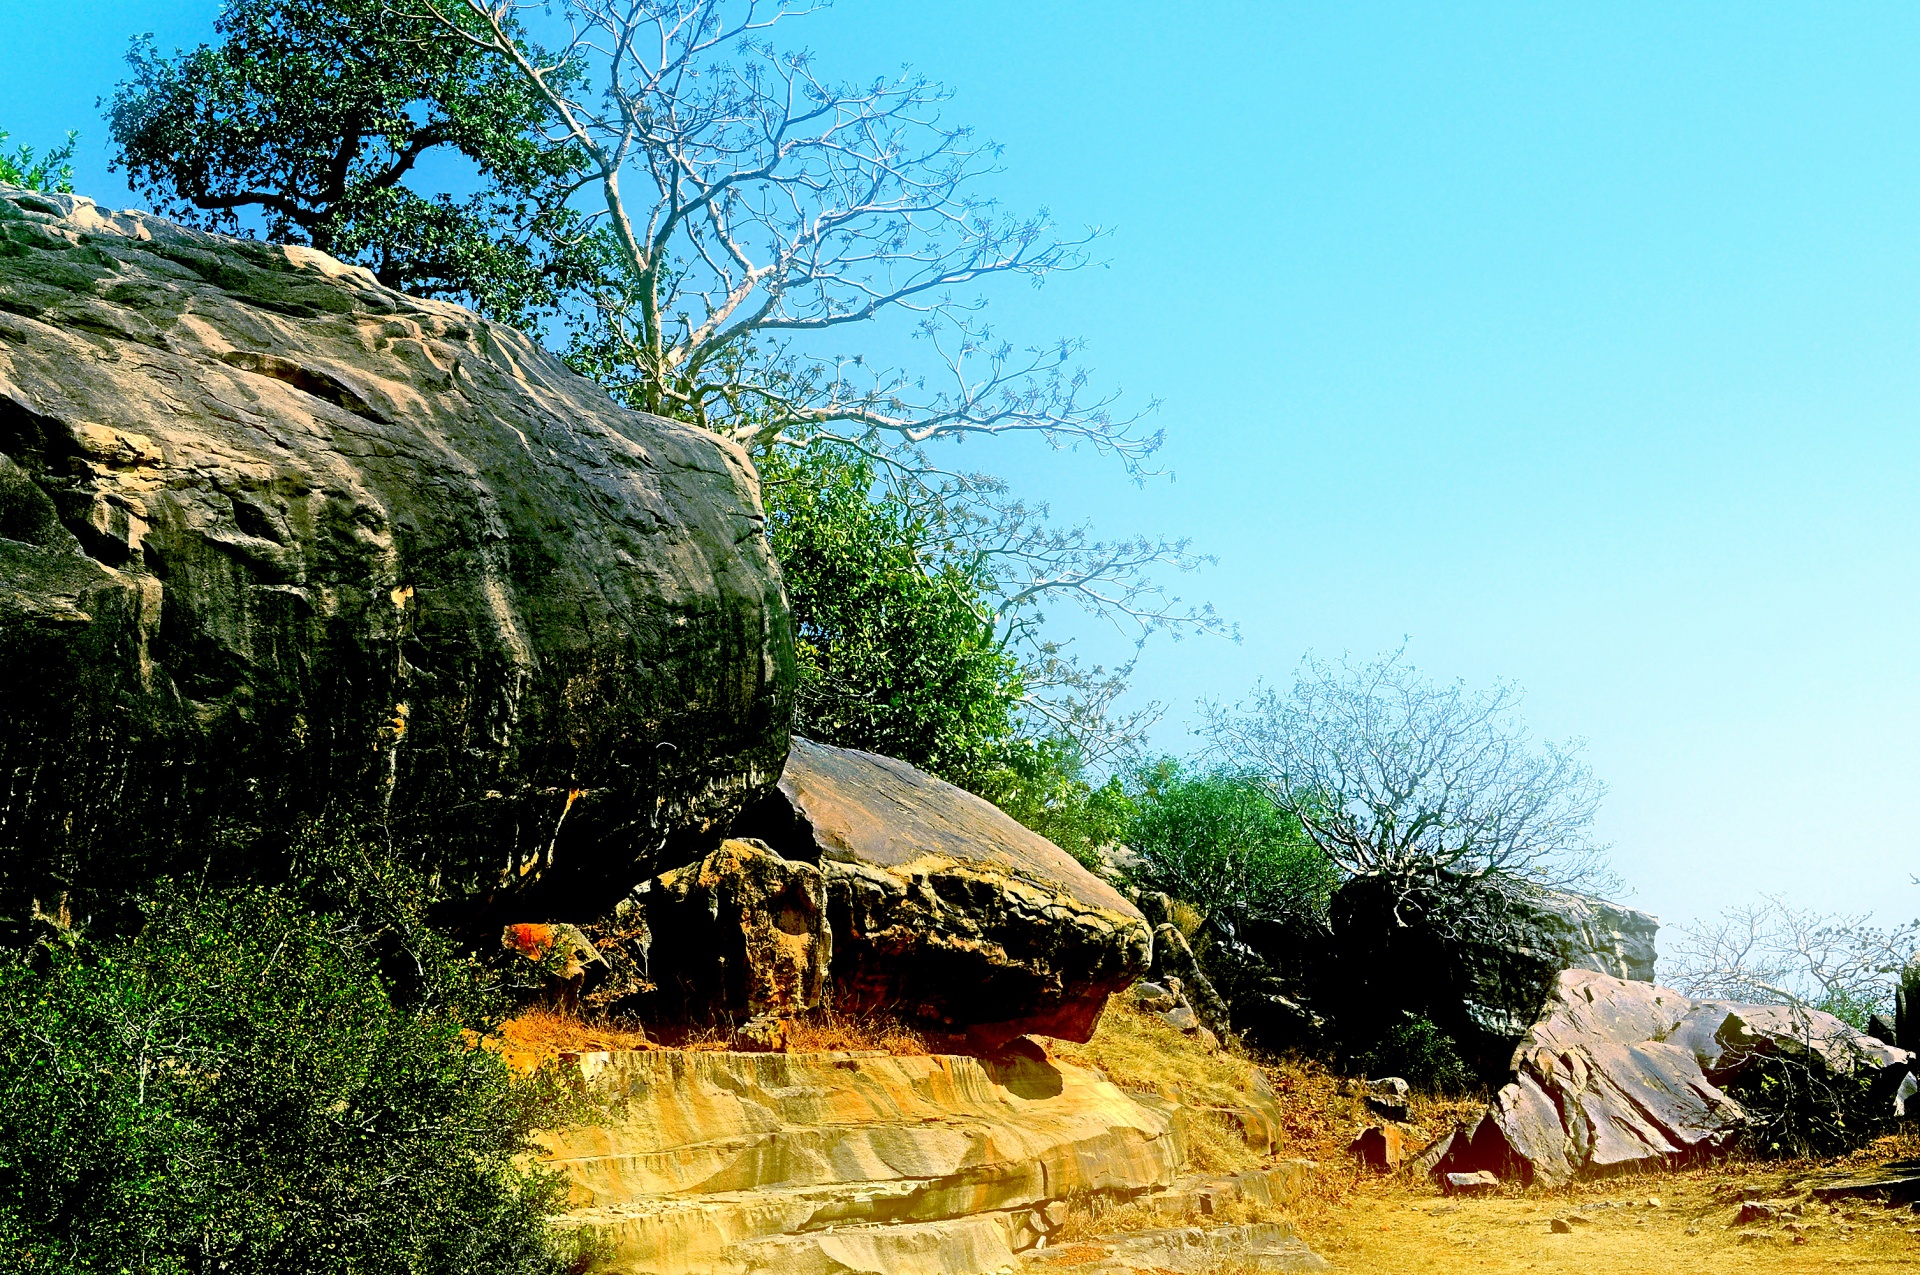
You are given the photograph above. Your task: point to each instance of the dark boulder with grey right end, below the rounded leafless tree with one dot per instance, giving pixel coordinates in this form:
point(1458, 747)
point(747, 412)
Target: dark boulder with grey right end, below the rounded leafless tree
point(1477, 957)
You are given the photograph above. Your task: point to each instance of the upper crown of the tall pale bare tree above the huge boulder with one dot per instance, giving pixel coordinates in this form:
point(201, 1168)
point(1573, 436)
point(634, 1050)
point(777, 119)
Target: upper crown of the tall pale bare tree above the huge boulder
point(752, 210)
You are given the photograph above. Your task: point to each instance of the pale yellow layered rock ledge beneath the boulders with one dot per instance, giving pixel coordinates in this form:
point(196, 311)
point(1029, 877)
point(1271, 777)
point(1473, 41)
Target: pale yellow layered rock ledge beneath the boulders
point(850, 1163)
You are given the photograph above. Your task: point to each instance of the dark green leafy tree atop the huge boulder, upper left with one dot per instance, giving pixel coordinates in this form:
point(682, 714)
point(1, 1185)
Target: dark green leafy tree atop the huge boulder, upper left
point(314, 116)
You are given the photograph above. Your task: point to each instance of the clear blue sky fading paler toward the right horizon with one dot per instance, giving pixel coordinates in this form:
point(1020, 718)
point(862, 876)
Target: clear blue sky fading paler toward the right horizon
point(1575, 347)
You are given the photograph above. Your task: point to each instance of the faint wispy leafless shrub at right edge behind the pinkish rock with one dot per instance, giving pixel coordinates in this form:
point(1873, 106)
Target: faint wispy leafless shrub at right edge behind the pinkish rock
point(1773, 953)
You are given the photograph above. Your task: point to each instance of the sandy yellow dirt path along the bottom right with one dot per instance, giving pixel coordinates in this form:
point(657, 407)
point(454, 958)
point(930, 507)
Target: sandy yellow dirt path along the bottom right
point(1614, 1230)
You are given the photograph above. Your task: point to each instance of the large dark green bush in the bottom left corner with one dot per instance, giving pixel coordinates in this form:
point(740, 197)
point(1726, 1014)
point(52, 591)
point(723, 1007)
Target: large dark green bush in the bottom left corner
point(241, 1088)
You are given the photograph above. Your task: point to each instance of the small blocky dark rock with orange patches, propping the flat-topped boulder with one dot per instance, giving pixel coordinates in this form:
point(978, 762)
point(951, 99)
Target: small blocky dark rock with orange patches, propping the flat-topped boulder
point(740, 936)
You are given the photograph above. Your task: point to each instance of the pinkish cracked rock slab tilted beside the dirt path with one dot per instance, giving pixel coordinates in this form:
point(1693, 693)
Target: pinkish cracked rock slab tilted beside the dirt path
point(1623, 1074)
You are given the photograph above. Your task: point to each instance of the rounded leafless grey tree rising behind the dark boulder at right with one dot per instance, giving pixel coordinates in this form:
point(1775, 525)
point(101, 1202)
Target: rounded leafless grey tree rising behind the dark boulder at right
point(1395, 775)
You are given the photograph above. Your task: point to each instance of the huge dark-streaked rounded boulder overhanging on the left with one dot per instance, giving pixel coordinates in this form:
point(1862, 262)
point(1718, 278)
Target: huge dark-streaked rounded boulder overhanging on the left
point(274, 537)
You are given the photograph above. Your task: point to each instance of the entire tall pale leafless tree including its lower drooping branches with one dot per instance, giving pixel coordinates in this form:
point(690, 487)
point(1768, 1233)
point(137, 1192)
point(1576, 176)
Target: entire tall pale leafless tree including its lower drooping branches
point(752, 212)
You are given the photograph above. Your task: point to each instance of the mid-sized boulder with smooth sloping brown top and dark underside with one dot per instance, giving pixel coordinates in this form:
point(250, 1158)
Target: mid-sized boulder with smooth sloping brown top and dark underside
point(944, 907)
